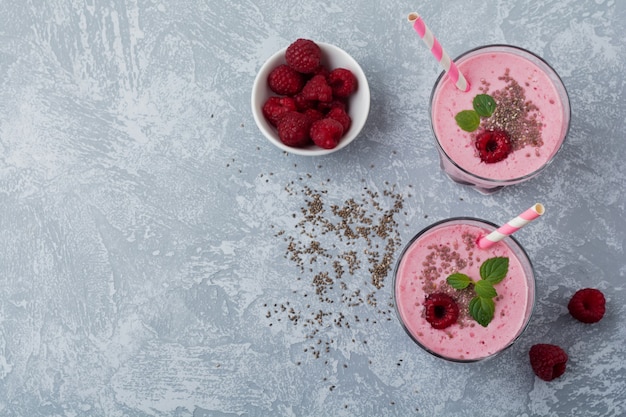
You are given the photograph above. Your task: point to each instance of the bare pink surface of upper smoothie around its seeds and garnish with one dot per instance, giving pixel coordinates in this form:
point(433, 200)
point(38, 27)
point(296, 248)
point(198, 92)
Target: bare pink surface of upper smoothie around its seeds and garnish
point(538, 88)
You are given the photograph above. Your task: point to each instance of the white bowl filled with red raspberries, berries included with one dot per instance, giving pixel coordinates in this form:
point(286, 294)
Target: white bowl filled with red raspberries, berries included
point(310, 98)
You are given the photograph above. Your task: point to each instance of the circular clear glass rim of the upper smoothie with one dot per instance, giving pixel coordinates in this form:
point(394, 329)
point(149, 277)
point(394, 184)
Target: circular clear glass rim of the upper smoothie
point(566, 103)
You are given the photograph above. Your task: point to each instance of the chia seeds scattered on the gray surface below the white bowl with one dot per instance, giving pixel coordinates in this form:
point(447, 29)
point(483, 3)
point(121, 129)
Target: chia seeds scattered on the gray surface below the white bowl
point(346, 251)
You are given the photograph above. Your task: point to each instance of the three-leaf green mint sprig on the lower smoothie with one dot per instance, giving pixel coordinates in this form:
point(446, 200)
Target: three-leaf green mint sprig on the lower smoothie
point(482, 307)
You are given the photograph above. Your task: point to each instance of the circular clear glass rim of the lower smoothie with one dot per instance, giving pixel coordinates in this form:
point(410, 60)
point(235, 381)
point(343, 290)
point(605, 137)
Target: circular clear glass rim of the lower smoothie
point(485, 223)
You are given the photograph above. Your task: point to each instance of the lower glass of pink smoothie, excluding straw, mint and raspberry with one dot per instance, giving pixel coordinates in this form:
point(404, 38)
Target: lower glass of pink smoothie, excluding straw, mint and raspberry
point(449, 247)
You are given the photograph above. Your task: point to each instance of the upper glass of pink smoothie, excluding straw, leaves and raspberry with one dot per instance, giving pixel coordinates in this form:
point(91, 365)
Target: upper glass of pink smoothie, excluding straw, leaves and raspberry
point(532, 108)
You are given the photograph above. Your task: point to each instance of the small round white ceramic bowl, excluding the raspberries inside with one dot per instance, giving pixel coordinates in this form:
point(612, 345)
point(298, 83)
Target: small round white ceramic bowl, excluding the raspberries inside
point(358, 104)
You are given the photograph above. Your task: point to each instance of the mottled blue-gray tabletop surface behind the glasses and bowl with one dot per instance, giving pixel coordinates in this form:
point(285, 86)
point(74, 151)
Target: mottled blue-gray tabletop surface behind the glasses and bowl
point(145, 220)
